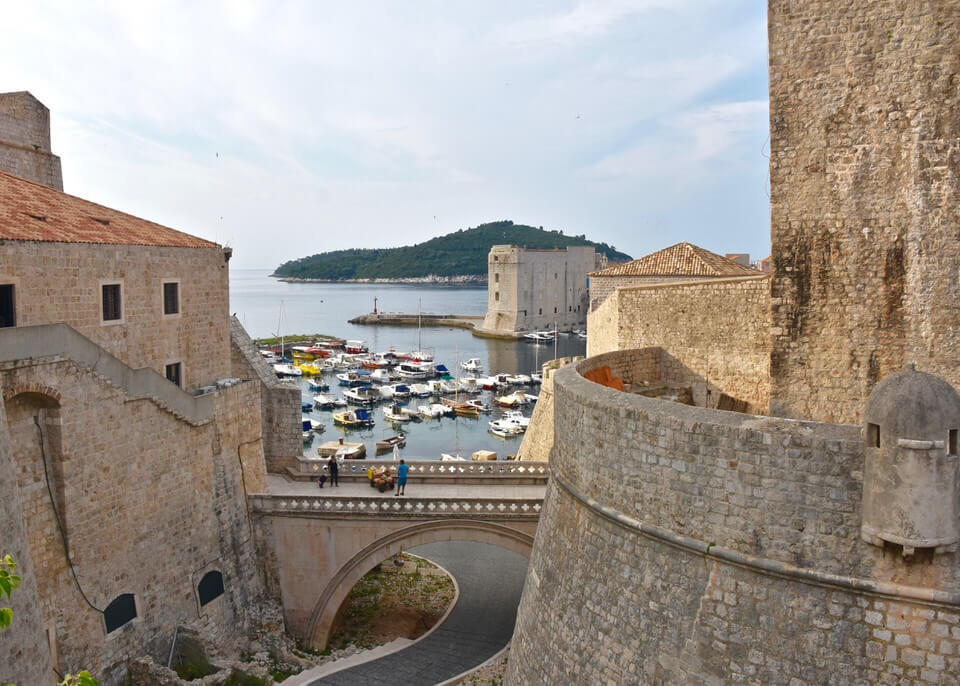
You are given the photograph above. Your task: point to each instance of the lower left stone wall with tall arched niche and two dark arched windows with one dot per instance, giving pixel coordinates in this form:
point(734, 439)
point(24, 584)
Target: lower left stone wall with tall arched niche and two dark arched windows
point(144, 502)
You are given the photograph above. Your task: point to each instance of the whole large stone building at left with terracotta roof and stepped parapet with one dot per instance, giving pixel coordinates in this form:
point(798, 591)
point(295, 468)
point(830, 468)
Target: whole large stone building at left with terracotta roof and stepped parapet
point(132, 427)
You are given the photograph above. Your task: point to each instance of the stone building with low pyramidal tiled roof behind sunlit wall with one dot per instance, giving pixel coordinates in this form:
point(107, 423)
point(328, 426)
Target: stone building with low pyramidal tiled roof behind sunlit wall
point(680, 262)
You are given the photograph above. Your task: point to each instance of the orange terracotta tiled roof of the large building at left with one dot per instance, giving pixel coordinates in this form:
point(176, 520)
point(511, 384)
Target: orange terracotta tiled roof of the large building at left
point(34, 212)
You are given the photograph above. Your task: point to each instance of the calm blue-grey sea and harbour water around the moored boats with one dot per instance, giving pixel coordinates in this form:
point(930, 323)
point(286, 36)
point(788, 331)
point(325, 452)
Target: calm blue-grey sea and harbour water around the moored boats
point(269, 307)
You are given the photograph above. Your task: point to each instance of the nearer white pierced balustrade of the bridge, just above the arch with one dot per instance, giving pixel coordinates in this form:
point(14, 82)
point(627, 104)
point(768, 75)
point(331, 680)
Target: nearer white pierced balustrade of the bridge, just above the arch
point(487, 508)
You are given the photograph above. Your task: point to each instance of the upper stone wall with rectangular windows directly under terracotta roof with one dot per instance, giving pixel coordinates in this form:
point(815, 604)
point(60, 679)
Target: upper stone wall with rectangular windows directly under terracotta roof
point(61, 282)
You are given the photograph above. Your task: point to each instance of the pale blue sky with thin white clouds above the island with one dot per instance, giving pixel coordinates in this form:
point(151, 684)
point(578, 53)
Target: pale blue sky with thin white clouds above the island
point(285, 129)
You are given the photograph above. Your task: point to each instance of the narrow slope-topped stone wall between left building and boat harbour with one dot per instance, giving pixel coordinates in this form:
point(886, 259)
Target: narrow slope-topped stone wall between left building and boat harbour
point(279, 402)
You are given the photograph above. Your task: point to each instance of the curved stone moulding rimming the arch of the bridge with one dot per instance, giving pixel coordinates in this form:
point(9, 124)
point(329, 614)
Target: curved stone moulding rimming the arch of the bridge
point(434, 531)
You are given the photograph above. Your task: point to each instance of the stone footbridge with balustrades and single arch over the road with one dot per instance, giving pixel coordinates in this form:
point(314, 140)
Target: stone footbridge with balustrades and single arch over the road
point(319, 542)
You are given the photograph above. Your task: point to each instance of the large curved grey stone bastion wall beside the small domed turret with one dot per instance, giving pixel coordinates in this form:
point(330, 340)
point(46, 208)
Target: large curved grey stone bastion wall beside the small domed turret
point(682, 545)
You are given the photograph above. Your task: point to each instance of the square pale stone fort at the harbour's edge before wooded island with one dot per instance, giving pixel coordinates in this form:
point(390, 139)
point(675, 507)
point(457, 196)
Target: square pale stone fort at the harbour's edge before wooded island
point(531, 289)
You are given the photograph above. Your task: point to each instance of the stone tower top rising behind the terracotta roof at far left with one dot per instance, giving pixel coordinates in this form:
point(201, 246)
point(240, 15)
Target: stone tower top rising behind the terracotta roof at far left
point(25, 140)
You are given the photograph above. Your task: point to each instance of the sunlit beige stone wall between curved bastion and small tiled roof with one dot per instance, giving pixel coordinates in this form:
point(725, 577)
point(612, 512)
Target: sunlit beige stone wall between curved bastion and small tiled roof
point(716, 332)
